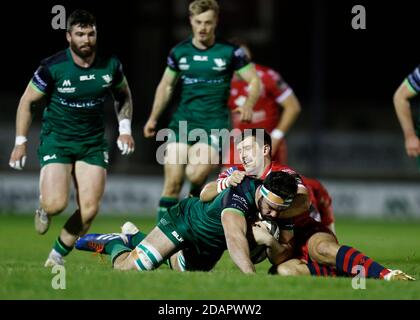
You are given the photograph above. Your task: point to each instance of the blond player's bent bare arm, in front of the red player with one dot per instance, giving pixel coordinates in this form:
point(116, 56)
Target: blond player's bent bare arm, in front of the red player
point(249, 74)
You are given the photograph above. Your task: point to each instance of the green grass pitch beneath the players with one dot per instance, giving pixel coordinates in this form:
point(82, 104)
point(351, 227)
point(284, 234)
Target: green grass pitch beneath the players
point(23, 252)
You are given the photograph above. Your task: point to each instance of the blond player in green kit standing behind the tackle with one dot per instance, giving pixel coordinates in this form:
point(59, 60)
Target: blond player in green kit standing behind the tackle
point(205, 65)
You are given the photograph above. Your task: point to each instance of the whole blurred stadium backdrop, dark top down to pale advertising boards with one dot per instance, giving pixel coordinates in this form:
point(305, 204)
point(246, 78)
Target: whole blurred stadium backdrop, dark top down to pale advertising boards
point(347, 135)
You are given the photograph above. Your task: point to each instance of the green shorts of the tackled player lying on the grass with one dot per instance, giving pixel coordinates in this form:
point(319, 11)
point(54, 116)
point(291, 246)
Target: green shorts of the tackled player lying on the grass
point(173, 225)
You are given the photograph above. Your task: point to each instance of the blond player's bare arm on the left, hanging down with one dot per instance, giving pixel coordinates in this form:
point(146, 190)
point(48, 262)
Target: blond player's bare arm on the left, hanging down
point(163, 94)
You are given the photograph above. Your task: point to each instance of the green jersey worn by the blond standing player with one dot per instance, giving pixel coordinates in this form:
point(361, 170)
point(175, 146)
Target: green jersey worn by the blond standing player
point(205, 76)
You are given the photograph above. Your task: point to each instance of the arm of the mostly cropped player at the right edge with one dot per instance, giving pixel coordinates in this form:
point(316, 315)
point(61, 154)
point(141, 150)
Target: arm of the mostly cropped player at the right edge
point(408, 89)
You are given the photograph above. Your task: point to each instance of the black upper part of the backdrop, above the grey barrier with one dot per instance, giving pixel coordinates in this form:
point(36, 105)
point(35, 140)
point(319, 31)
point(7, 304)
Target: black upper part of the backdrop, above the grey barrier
point(344, 78)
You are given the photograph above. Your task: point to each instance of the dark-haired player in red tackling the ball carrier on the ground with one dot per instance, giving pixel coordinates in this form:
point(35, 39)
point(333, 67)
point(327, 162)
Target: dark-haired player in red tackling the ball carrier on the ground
point(317, 250)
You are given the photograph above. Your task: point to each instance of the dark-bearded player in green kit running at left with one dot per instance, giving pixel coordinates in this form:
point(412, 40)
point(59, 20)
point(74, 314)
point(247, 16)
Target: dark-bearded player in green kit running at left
point(74, 82)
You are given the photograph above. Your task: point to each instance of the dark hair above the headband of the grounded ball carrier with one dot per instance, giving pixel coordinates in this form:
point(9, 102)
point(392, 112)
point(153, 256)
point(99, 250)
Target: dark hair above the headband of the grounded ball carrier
point(282, 184)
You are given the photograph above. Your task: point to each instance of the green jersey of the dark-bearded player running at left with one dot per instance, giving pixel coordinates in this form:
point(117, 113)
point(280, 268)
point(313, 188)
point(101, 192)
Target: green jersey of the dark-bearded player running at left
point(76, 95)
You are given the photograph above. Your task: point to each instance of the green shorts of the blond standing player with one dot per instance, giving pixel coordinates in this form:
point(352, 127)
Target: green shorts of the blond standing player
point(190, 133)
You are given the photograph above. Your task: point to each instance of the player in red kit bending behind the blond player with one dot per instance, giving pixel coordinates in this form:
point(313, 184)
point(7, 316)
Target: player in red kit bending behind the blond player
point(266, 113)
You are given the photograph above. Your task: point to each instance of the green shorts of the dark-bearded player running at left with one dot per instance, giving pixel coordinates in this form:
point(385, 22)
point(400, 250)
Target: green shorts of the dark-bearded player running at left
point(55, 150)
